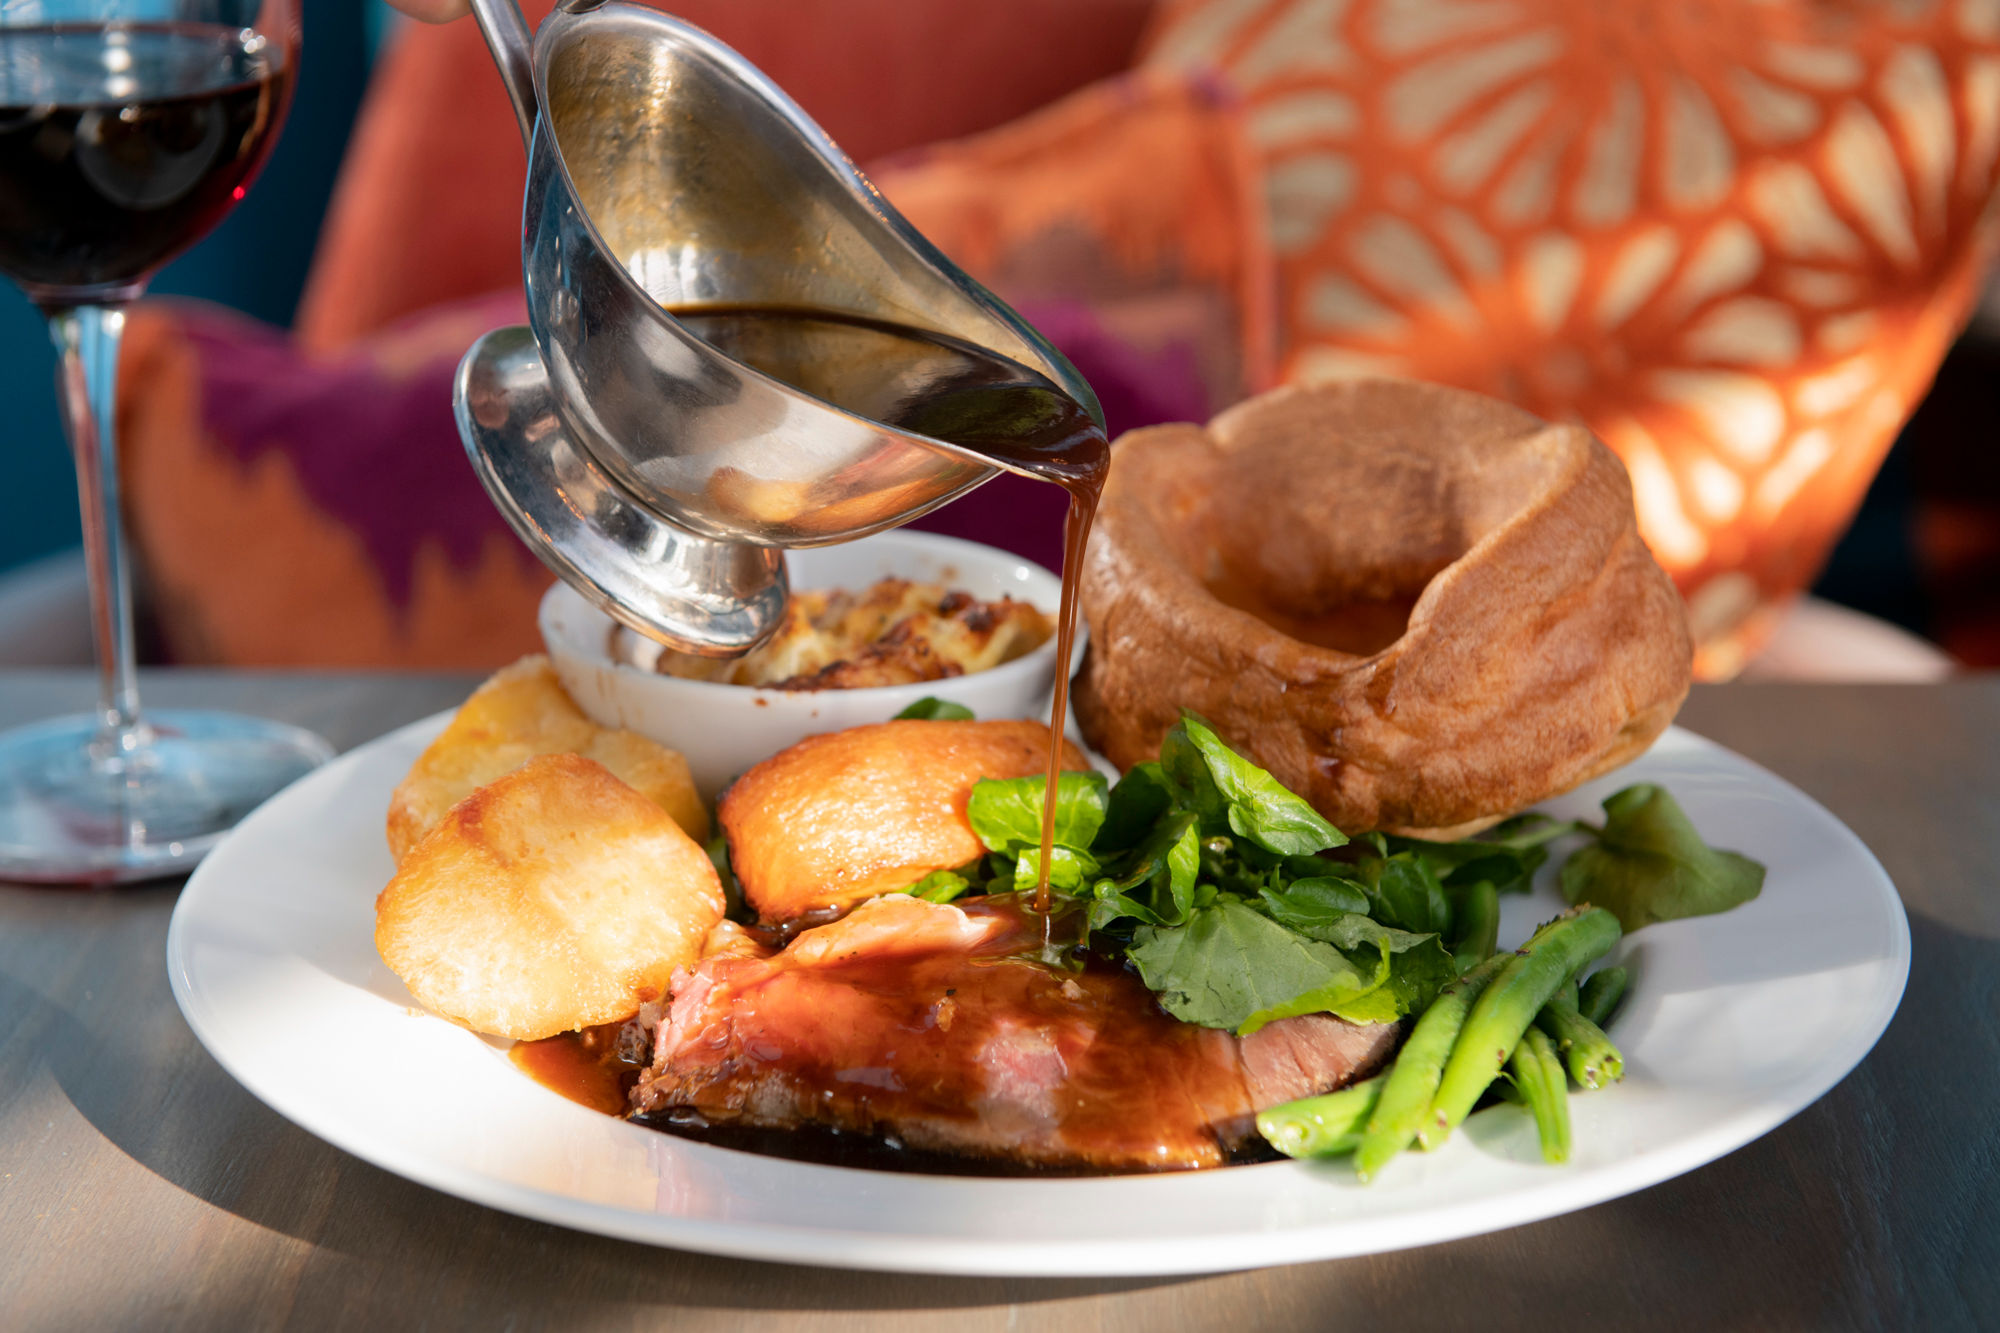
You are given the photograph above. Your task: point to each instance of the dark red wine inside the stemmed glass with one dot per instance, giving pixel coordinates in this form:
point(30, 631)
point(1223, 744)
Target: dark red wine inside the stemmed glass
point(123, 145)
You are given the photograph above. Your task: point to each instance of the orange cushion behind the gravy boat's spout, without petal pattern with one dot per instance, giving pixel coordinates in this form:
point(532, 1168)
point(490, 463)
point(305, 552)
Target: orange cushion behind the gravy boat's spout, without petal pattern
point(1135, 199)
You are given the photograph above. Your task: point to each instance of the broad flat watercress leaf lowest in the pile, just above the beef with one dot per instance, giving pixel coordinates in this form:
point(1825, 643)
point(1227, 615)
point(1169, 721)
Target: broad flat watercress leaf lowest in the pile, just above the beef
point(1231, 968)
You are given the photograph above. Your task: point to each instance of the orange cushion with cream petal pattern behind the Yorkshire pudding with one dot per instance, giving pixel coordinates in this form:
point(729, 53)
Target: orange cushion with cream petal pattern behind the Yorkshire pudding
point(1733, 237)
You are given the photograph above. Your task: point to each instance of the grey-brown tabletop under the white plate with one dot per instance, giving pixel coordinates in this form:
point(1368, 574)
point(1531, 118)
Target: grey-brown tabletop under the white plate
point(145, 1190)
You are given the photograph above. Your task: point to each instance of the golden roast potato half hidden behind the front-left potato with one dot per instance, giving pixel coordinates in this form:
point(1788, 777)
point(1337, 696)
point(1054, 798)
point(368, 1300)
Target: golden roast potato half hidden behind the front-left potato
point(519, 714)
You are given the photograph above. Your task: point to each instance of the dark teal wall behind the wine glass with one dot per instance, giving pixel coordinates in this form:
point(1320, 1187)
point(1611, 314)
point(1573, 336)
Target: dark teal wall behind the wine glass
point(255, 261)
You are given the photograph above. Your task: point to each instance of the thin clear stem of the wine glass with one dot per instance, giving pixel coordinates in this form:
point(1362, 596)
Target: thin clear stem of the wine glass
point(87, 343)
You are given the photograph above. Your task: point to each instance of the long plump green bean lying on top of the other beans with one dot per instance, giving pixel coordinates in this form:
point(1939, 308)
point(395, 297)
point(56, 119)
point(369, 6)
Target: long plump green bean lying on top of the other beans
point(1509, 1006)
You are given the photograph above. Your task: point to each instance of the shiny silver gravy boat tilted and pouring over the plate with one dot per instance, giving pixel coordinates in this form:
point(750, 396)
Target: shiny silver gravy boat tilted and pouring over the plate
point(641, 461)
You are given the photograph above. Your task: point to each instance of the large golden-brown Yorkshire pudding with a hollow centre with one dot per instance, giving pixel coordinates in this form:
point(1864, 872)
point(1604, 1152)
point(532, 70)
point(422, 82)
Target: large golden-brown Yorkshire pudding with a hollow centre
point(1417, 607)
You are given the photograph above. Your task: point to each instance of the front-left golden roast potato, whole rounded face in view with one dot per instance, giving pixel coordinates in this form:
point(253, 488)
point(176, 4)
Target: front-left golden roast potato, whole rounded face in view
point(549, 900)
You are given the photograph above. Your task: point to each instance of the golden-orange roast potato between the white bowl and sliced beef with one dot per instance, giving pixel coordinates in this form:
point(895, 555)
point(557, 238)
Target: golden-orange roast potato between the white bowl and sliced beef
point(843, 818)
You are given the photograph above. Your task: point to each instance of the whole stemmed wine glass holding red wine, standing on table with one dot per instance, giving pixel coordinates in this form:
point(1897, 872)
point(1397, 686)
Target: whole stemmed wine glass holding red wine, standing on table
point(127, 131)
